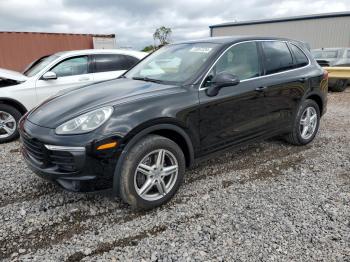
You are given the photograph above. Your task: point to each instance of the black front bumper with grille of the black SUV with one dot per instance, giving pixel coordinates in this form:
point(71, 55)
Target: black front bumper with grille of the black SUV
point(73, 164)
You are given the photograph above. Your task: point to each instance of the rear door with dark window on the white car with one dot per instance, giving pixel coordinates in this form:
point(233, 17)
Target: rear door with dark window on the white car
point(110, 66)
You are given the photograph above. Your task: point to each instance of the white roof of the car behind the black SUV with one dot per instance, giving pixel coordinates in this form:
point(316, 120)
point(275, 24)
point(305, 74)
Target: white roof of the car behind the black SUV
point(133, 53)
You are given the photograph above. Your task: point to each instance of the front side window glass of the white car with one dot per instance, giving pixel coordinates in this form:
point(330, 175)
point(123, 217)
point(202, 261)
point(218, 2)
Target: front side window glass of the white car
point(72, 66)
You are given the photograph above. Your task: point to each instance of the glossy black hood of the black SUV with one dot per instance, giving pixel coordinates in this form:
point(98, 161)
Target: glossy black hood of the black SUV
point(65, 106)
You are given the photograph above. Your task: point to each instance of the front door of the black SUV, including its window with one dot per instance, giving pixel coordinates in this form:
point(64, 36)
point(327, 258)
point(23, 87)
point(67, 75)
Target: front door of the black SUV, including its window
point(236, 113)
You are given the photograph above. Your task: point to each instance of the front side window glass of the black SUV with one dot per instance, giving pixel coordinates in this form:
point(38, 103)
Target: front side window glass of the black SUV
point(241, 60)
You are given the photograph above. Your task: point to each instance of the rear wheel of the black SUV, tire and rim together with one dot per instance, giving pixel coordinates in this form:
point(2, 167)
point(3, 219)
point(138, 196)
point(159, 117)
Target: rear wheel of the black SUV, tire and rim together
point(296, 136)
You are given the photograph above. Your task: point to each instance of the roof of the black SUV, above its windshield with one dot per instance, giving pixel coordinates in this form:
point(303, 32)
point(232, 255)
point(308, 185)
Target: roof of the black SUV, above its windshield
point(233, 39)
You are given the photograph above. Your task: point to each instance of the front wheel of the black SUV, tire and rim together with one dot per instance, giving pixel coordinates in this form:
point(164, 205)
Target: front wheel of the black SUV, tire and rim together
point(143, 189)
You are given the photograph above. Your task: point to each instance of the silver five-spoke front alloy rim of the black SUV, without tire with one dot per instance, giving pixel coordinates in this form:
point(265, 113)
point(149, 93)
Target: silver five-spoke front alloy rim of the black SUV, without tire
point(156, 175)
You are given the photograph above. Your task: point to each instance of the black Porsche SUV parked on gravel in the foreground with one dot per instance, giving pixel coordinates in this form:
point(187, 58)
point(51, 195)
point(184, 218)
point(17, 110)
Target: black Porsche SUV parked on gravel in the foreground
point(137, 134)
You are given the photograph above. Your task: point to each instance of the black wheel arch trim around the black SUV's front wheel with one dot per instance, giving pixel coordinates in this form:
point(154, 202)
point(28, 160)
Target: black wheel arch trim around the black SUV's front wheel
point(169, 130)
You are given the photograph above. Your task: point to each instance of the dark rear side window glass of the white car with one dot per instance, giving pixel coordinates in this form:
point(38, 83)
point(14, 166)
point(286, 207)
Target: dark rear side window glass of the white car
point(106, 63)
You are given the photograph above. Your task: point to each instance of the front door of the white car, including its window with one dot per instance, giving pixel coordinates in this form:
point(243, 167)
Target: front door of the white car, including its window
point(71, 72)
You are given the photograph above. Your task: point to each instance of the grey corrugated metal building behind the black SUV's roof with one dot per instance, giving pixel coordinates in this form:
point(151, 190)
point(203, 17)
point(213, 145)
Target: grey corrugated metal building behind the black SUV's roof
point(322, 30)
